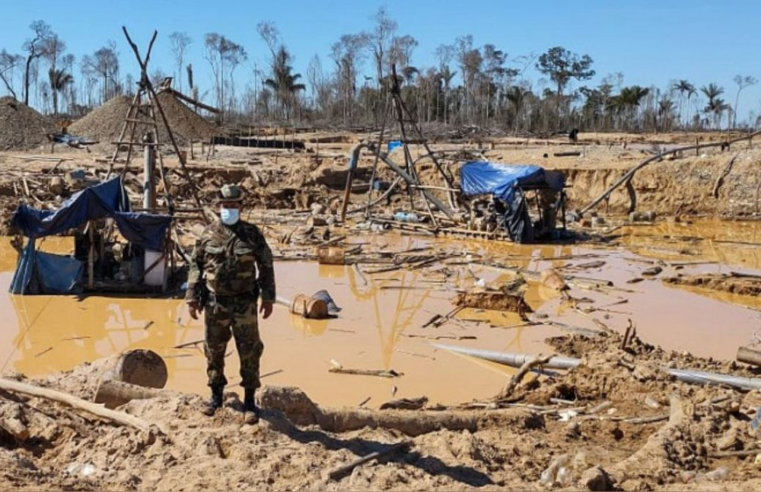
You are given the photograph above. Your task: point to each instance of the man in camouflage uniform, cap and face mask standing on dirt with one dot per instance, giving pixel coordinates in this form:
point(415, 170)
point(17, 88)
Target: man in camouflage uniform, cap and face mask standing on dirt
point(223, 283)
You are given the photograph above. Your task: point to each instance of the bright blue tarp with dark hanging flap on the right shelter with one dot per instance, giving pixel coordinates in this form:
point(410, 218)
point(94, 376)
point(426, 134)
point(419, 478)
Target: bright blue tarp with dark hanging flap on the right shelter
point(507, 184)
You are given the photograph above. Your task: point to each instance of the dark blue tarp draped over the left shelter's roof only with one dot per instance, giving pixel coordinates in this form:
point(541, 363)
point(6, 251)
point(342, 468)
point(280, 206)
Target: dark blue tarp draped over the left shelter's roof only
point(96, 202)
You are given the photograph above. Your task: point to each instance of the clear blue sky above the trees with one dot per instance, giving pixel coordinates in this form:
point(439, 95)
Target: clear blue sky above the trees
point(650, 41)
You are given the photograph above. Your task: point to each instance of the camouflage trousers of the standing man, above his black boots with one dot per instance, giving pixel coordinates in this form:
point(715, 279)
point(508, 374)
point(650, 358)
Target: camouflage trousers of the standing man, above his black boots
point(226, 318)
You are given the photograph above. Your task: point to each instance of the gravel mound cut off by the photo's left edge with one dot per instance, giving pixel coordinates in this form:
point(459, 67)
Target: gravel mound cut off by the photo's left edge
point(21, 127)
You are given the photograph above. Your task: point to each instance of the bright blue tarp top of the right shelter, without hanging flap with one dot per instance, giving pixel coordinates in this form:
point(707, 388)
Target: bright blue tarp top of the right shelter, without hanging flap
point(501, 180)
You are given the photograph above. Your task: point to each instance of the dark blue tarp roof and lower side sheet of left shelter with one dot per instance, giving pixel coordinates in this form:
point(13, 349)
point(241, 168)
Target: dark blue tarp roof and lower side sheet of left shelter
point(46, 273)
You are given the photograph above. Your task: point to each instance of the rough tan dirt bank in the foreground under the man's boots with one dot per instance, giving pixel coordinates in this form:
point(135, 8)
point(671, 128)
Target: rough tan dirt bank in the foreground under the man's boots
point(620, 419)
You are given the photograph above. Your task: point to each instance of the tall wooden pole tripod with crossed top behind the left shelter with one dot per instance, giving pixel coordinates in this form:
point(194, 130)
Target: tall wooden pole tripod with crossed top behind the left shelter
point(142, 113)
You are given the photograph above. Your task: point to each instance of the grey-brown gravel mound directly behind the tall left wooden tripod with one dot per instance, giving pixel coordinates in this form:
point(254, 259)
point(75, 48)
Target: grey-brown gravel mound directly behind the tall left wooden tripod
point(106, 122)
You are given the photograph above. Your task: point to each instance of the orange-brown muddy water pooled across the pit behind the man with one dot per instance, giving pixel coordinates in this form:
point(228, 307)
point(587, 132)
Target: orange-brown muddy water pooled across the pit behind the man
point(380, 325)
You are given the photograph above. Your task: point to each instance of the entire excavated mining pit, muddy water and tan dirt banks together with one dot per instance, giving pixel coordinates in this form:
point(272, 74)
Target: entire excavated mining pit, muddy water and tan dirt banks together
point(678, 291)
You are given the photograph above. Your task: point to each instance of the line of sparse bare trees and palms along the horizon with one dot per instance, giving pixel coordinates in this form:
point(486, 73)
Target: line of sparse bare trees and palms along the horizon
point(468, 85)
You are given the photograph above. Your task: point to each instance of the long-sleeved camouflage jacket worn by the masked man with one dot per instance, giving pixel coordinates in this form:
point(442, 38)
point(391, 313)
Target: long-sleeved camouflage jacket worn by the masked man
point(225, 261)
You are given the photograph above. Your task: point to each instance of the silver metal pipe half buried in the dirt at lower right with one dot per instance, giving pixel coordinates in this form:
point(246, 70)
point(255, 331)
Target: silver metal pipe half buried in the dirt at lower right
point(684, 375)
